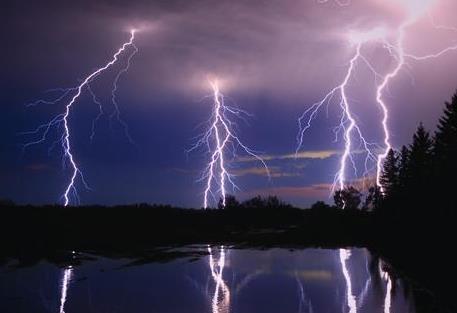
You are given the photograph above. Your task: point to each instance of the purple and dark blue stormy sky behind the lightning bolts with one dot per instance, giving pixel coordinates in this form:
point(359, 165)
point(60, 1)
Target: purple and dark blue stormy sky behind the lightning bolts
point(274, 58)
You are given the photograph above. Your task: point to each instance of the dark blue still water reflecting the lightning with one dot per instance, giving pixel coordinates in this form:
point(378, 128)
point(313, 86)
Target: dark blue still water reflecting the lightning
point(228, 280)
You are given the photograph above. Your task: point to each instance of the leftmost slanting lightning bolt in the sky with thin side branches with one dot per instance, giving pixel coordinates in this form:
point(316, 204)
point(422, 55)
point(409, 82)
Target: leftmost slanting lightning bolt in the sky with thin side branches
point(62, 119)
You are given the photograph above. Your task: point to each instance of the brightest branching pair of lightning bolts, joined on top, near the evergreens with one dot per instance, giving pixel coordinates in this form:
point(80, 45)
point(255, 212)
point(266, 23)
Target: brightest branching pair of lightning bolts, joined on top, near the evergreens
point(348, 123)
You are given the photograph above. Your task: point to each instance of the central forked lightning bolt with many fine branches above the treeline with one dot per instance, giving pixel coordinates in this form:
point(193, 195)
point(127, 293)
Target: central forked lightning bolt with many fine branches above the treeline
point(218, 138)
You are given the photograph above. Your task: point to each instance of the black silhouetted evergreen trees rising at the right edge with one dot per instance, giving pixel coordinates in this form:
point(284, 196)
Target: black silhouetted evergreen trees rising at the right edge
point(422, 175)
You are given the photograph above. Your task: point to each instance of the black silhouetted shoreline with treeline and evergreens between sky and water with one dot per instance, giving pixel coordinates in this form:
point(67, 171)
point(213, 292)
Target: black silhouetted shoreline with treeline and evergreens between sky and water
point(411, 222)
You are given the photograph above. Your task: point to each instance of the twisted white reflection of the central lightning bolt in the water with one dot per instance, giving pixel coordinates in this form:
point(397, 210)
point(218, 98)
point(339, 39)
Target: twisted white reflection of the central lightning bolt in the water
point(221, 296)
